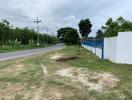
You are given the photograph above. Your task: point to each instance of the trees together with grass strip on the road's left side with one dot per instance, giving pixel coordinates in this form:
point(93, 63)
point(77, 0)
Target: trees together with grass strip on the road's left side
point(12, 39)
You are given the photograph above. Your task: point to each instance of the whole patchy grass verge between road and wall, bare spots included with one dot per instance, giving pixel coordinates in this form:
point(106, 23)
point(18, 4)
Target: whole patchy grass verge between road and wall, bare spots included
point(71, 73)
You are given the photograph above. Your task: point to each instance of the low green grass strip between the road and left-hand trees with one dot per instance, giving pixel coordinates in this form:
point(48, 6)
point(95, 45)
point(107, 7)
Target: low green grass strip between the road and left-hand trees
point(10, 48)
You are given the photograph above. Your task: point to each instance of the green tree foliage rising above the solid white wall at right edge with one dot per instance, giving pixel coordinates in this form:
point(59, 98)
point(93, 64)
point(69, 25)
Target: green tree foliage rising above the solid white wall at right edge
point(112, 28)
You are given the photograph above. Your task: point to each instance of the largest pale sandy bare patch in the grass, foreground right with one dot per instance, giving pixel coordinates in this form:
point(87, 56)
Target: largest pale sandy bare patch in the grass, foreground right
point(94, 81)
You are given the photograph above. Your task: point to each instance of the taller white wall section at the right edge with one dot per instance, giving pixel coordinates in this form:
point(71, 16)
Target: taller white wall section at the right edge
point(124, 47)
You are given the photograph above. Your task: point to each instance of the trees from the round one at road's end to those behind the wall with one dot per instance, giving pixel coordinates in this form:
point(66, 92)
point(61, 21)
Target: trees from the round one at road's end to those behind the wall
point(70, 35)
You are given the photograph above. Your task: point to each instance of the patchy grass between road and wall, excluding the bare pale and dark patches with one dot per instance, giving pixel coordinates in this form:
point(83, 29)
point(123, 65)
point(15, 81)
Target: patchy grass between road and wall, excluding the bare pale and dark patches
point(33, 81)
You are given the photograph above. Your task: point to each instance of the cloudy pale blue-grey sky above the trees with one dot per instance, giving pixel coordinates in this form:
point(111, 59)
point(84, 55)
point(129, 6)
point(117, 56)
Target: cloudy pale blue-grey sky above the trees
point(55, 14)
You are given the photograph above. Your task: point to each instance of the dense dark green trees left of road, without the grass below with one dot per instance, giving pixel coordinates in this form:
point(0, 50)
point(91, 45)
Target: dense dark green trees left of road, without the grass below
point(9, 35)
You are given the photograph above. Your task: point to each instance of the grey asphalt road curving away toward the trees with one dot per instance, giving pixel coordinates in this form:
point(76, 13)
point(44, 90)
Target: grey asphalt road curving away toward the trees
point(26, 53)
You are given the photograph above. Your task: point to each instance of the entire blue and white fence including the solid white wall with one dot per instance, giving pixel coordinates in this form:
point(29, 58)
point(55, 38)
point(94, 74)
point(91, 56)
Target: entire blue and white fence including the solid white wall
point(117, 49)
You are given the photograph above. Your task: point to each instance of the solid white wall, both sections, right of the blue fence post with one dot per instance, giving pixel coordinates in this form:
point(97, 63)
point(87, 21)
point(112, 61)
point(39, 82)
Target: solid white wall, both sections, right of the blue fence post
point(119, 49)
